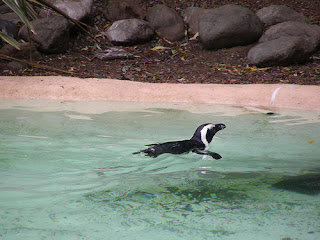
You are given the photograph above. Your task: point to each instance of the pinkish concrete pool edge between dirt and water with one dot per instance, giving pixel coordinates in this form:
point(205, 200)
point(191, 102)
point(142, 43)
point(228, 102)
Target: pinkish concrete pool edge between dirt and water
point(306, 97)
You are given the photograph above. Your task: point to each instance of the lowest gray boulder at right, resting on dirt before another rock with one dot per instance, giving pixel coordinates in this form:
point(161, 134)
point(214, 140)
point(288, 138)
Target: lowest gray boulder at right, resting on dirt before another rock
point(282, 51)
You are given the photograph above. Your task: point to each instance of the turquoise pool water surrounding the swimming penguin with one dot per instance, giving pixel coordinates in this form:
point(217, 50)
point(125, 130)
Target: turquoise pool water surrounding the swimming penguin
point(67, 172)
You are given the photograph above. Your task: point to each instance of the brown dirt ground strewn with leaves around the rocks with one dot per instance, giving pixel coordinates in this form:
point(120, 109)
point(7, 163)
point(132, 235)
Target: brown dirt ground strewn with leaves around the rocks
point(181, 62)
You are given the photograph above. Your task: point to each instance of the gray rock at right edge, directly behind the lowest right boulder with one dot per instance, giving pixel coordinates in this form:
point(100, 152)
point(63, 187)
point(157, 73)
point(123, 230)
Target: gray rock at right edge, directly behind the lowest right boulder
point(309, 33)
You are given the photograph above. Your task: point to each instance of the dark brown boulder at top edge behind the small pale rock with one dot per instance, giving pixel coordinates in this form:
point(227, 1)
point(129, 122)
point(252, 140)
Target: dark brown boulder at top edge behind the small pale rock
point(124, 9)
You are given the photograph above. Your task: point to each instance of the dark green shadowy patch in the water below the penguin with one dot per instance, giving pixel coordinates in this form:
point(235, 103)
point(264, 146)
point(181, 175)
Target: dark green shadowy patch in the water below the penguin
point(191, 187)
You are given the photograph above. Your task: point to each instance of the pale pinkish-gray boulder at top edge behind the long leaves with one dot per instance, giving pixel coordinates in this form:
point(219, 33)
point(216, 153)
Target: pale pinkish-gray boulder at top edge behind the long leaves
point(77, 9)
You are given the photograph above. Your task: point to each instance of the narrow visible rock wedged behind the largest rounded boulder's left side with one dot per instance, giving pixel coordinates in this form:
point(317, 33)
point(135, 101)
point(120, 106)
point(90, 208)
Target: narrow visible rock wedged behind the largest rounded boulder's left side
point(191, 17)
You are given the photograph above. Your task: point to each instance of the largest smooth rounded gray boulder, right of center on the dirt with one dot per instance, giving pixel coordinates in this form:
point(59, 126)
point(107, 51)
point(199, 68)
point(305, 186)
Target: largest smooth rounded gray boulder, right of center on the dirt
point(229, 26)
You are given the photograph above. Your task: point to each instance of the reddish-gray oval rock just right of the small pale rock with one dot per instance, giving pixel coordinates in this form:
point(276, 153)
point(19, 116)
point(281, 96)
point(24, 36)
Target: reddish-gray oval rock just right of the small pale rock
point(167, 22)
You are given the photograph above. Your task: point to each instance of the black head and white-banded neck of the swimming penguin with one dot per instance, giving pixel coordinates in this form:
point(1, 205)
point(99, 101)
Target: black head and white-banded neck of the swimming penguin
point(205, 132)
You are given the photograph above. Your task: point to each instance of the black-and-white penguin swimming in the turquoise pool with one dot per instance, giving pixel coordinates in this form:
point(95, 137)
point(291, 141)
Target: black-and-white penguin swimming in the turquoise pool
point(199, 143)
